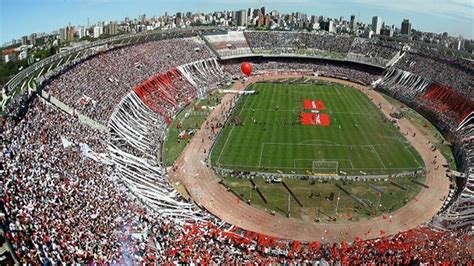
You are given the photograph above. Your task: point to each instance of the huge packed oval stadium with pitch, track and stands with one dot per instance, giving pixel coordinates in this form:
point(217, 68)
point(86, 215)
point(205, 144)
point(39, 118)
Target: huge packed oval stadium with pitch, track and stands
point(155, 147)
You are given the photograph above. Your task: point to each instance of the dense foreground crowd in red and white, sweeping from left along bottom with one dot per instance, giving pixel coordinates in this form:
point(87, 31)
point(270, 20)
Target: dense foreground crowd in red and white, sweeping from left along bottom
point(67, 208)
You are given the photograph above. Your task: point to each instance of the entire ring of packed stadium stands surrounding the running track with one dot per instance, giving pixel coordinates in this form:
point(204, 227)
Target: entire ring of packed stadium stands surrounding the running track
point(72, 194)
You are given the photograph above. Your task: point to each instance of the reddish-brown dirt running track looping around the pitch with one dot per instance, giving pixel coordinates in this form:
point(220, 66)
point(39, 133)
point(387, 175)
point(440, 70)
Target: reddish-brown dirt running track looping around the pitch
point(202, 185)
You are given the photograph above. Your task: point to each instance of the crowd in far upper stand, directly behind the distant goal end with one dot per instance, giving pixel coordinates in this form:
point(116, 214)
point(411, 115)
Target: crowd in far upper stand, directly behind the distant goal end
point(298, 42)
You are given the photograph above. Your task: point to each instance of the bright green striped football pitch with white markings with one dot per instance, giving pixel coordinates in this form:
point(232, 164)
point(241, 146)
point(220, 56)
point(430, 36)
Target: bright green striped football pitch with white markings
point(264, 134)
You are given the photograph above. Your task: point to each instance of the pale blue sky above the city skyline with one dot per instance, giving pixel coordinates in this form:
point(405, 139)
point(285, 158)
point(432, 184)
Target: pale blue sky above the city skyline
point(23, 17)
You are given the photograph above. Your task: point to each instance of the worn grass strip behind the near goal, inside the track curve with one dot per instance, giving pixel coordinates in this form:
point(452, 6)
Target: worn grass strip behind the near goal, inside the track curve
point(315, 195)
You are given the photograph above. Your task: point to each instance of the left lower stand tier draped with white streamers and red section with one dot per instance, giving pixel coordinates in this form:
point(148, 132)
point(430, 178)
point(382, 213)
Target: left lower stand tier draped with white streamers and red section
point(138, 130)
